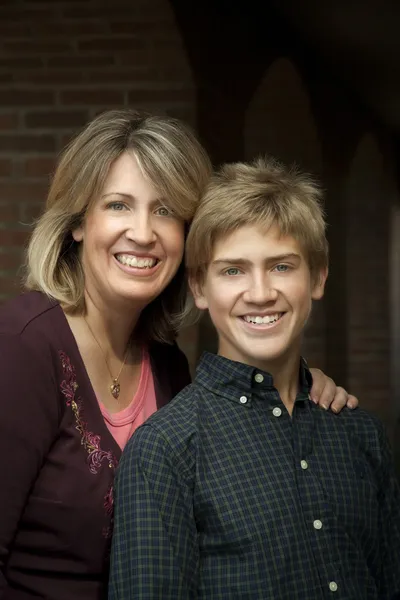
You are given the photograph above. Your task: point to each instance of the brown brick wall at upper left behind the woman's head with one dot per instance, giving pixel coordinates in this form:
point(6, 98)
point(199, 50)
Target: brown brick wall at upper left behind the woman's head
point(60, 64)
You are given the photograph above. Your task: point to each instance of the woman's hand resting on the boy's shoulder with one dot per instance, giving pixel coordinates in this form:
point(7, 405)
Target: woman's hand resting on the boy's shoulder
point(327, 394)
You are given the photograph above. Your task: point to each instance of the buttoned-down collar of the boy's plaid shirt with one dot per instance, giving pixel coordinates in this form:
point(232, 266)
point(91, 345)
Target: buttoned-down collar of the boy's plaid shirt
point(239, 382)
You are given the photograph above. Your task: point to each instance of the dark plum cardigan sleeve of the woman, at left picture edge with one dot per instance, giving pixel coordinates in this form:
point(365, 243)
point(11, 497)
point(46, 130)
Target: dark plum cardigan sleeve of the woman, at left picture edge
point(28, 424)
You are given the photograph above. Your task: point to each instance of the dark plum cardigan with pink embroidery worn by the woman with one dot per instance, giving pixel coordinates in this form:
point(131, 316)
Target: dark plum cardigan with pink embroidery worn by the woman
point(57, 456)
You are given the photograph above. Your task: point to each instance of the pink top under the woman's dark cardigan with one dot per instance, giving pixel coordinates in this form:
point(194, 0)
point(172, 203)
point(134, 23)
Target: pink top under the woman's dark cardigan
point(122, 424)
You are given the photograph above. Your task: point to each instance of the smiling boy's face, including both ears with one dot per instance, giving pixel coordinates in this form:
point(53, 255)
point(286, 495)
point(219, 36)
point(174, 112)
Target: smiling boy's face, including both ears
point(258, 291)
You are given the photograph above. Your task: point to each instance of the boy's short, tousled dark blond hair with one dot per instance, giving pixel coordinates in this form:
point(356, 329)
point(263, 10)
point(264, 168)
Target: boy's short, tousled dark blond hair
point(260, 193)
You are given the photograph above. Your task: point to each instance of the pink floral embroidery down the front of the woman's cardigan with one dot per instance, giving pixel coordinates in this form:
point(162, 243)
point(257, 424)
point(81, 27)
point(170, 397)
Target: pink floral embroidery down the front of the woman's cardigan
point(90, 441)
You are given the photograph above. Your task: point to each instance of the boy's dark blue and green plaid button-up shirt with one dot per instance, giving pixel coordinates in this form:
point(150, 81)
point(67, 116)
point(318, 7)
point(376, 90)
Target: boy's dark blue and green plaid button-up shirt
point(221, 495)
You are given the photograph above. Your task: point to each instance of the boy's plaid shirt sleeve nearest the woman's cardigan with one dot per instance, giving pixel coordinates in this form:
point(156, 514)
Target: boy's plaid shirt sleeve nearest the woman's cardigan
point(155, 548)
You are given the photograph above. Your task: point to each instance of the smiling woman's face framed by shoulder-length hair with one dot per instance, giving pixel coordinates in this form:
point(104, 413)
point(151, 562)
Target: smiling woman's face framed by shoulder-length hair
point(132, 242)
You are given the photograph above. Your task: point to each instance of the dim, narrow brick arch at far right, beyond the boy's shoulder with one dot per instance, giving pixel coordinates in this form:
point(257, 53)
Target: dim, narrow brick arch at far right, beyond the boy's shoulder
point(368, 271)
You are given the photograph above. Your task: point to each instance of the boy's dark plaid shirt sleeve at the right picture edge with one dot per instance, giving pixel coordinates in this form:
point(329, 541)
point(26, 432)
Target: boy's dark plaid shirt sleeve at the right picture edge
point(390, 522)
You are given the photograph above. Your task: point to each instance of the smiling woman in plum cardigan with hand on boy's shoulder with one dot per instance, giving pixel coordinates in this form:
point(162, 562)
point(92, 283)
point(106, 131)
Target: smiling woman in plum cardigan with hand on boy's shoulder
point(88, 354)
